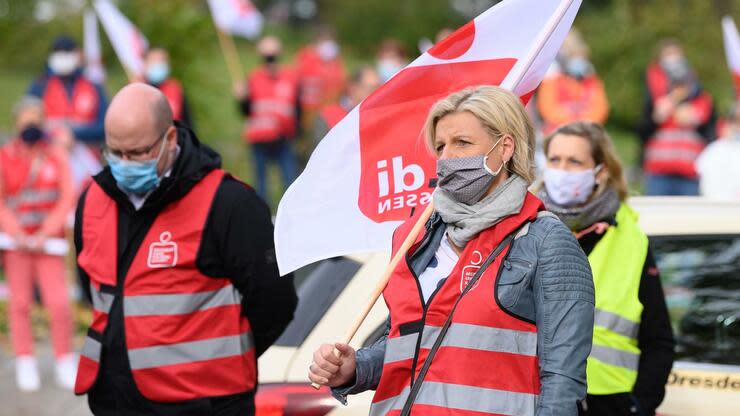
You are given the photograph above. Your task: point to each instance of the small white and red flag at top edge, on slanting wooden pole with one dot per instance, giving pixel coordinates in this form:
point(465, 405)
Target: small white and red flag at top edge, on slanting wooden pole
point(237, 17)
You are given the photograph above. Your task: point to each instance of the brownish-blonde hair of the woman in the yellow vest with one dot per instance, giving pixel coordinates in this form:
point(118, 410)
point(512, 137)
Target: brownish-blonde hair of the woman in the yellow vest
point(602, 151)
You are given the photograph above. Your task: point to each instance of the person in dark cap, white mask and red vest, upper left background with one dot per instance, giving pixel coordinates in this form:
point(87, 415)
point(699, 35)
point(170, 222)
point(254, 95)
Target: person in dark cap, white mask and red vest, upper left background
point(75, 108)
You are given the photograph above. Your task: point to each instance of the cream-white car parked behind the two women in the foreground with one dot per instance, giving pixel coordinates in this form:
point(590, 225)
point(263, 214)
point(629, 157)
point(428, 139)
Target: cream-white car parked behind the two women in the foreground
point(696, 243)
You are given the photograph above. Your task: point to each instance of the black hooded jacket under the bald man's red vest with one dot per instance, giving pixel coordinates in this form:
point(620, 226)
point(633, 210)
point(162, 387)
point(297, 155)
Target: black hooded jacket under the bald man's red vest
point(237, 242)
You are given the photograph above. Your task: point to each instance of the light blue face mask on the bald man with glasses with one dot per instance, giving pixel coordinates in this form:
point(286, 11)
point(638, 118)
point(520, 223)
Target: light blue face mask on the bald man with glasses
point(133, 176)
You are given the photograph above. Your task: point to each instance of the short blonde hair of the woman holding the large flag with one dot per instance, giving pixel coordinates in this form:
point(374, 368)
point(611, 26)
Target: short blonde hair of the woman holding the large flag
point(501, 113)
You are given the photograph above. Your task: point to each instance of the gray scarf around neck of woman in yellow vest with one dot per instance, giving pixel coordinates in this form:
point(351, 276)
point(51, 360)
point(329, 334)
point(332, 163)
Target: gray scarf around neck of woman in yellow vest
point(578, 218)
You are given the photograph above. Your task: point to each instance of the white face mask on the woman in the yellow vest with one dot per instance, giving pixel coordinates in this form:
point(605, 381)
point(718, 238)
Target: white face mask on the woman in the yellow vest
point(567, 188)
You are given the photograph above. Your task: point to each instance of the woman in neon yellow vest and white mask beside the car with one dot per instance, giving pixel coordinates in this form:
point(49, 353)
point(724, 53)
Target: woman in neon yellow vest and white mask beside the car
point(633, 343)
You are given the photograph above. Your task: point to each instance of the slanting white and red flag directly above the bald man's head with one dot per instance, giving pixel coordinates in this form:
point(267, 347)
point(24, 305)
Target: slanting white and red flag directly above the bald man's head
point(128, 42)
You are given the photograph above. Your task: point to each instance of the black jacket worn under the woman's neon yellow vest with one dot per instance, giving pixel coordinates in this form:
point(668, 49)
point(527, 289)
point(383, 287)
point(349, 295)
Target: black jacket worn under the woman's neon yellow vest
point(656, 343)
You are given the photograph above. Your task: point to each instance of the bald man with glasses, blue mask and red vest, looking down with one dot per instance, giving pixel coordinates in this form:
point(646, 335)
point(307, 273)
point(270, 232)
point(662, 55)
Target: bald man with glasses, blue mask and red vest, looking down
point(177, 258)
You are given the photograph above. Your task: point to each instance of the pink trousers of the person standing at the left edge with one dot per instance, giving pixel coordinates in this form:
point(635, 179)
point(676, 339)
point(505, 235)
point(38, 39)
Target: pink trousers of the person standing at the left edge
point(22, 269)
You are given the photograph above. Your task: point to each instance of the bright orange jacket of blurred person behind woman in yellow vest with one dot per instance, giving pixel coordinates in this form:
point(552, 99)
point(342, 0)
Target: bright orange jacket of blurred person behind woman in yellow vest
point(562, 99)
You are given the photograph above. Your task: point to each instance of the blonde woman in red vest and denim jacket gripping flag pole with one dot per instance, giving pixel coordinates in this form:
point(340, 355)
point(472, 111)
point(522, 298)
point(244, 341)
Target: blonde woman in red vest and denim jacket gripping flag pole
point(491, 312)
